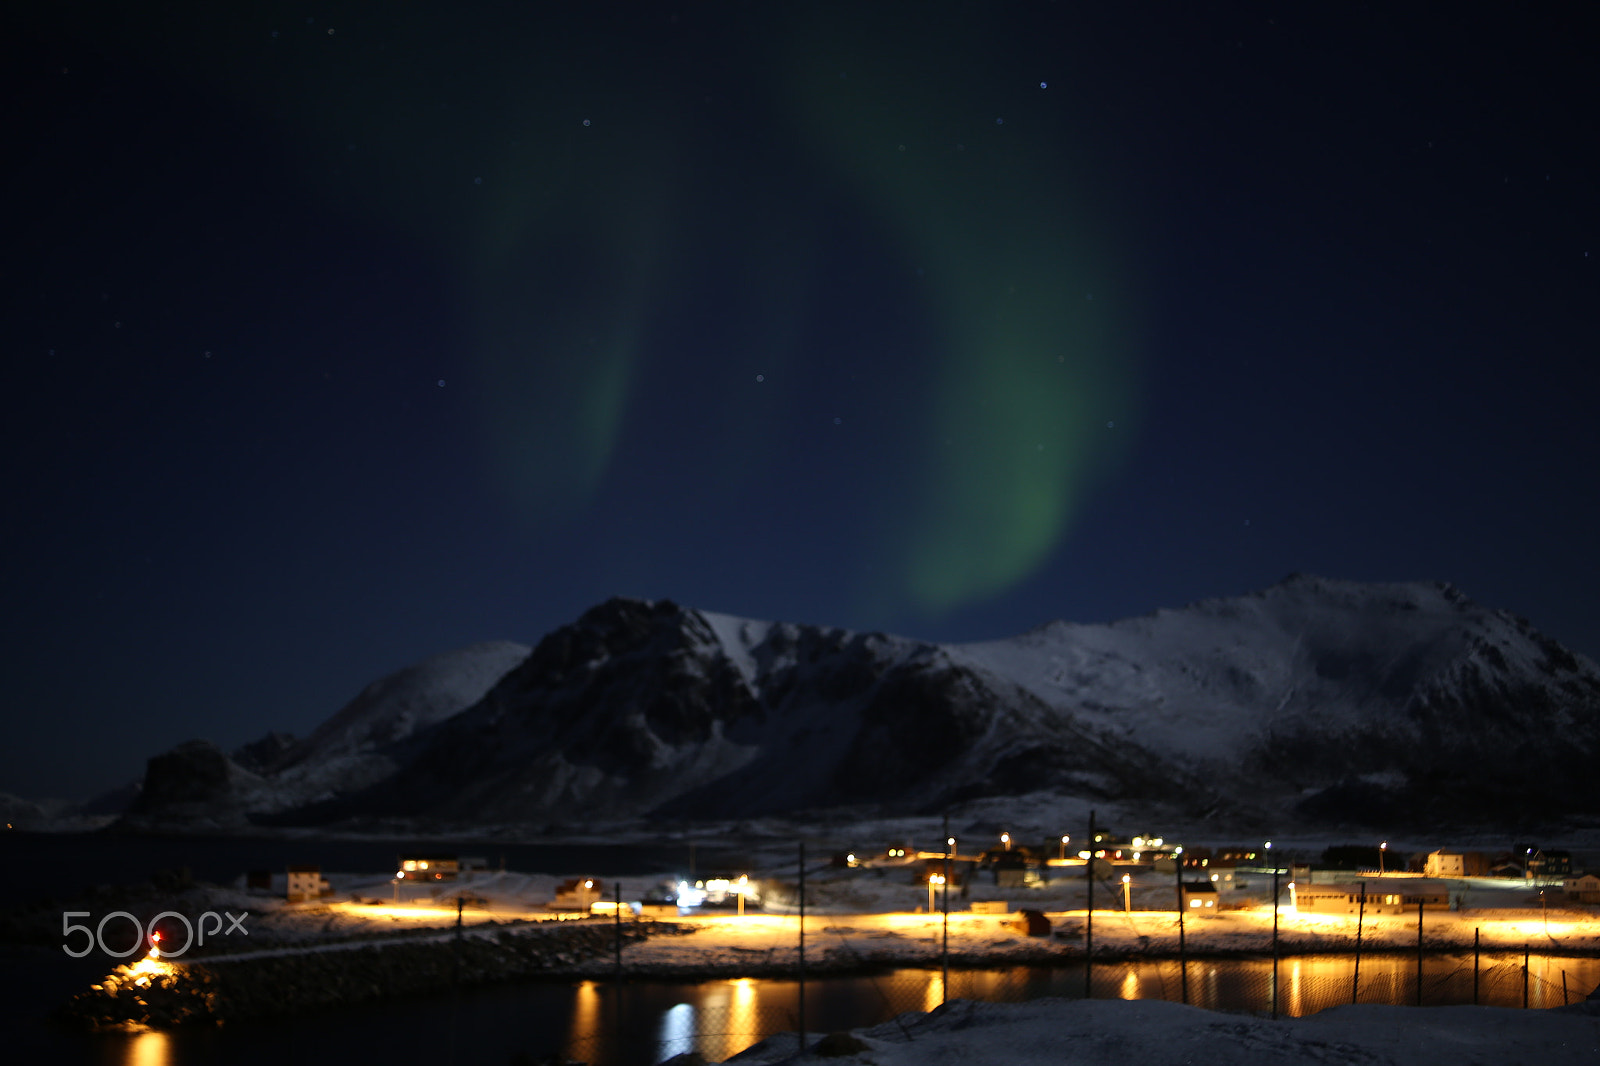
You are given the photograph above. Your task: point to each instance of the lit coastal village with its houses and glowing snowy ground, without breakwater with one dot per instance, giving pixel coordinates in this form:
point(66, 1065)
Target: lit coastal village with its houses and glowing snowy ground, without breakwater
point(1014, 888)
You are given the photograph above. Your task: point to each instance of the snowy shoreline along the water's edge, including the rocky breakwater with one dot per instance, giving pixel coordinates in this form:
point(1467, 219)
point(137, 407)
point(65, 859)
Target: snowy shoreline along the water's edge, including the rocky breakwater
point(284, 980)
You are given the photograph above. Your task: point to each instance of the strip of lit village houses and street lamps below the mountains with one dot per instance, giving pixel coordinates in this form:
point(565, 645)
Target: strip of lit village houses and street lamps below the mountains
point(1137, 870)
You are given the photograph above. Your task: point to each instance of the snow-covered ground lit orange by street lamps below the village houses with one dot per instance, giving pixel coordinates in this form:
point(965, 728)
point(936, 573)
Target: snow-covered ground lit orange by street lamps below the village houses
point(876, 916)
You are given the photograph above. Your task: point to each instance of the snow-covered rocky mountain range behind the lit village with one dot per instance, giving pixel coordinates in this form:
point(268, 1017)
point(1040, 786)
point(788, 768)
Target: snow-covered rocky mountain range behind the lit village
point(1319, 700)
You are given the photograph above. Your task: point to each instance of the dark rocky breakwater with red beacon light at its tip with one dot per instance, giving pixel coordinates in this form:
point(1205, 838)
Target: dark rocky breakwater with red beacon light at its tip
point(164, 995)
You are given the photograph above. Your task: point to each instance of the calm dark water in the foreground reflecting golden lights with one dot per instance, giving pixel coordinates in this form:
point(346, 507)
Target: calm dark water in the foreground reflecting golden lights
point(646, 1022)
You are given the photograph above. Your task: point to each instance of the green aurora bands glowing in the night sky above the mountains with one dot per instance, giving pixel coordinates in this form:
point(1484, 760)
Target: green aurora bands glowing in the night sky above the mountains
point(567, 241)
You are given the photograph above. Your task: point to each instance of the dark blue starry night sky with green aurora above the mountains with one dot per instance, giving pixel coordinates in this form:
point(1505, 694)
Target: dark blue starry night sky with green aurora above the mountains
point(346, 334)
